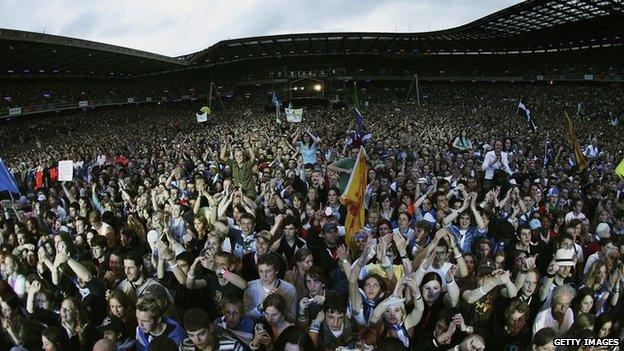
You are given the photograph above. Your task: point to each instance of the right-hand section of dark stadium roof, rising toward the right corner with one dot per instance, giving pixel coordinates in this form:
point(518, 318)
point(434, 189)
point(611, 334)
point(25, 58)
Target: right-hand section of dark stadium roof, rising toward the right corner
point(533, 25)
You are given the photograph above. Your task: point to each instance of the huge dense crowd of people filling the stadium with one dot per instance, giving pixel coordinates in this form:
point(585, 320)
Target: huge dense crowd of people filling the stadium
point(480, 234)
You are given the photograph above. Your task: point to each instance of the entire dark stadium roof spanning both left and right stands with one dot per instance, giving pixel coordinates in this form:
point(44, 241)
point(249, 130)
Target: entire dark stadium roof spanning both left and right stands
point(531, 26)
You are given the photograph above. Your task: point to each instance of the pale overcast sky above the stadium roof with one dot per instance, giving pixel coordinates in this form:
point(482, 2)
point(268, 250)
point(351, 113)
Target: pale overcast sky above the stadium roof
point(178, 27)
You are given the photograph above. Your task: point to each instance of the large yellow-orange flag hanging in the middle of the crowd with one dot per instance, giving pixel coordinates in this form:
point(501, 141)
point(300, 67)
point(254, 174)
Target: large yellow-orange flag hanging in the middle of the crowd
point(353, 198)
